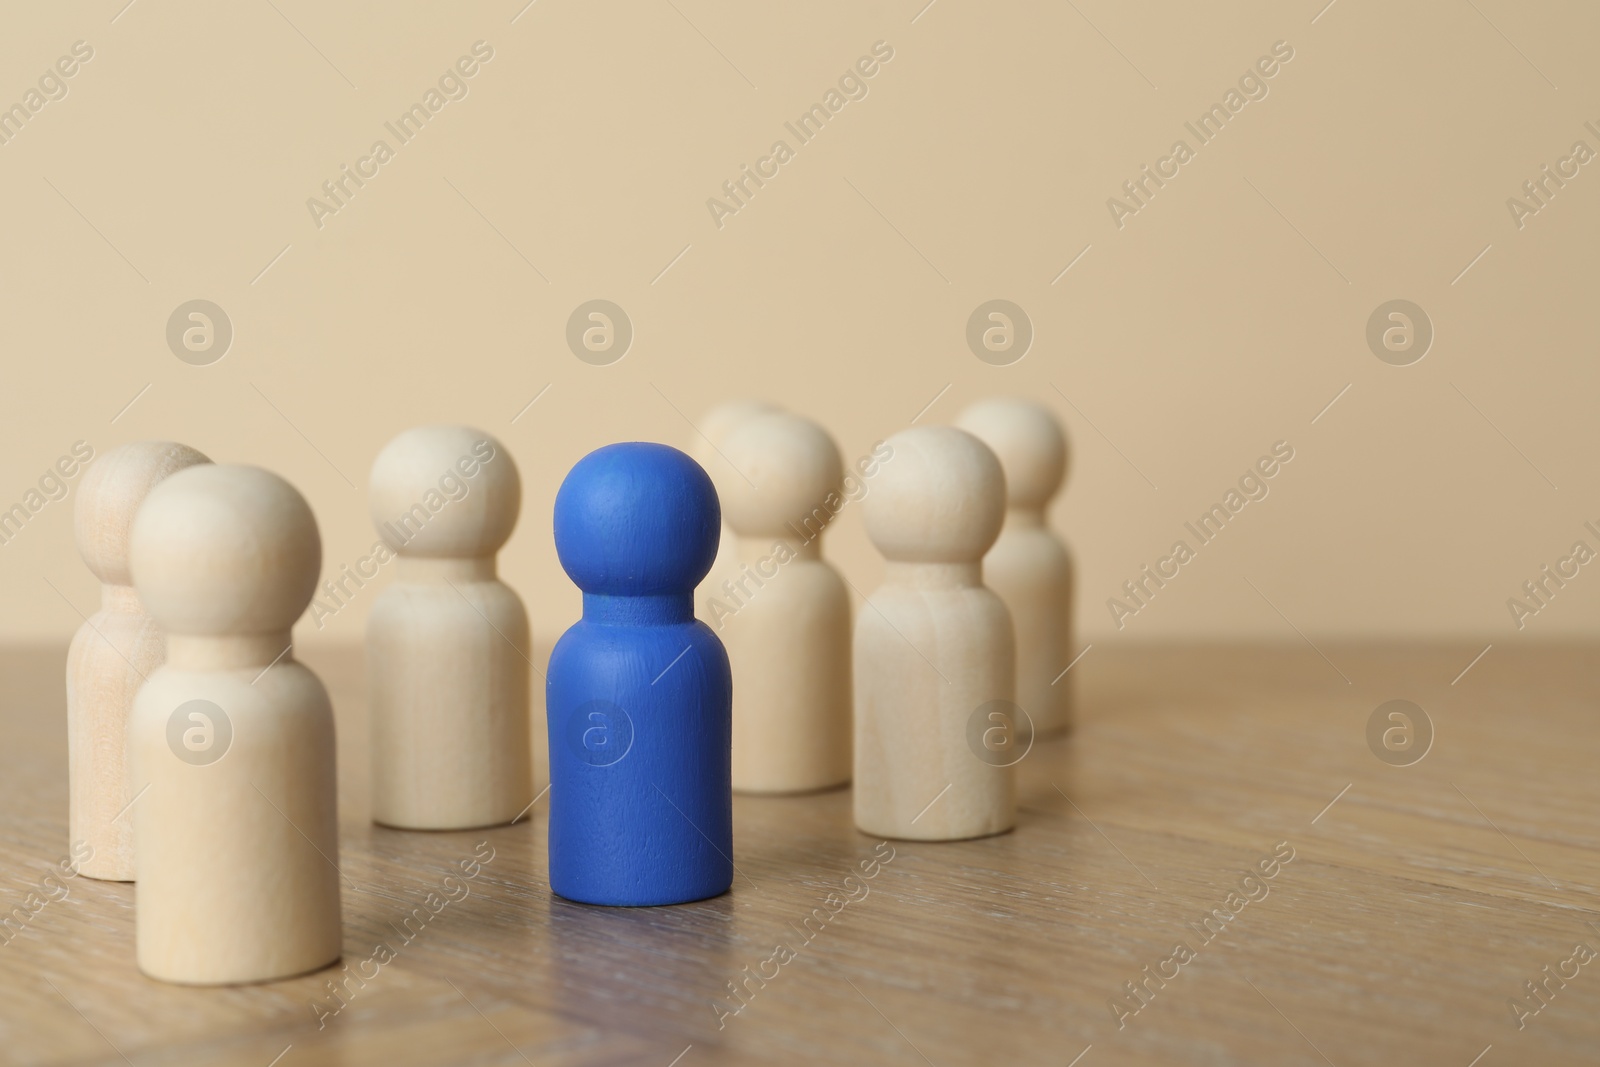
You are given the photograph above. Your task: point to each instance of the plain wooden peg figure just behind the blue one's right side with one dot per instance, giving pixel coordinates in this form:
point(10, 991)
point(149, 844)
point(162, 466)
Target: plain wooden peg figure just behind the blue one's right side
point(782, 610)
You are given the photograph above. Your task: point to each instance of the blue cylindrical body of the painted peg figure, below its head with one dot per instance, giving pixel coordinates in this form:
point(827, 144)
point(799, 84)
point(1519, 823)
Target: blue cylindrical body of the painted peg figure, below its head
point(641, 732)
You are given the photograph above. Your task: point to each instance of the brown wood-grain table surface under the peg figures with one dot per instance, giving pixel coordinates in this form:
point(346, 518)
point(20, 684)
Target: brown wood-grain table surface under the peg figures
point(1418, 901)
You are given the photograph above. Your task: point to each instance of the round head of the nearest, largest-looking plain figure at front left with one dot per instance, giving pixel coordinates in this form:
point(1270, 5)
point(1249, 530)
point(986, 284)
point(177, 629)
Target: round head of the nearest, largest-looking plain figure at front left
point(225, 549)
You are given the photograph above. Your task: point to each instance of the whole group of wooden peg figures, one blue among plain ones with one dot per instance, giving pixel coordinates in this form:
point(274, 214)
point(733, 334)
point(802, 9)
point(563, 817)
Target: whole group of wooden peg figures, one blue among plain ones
point(202, 754)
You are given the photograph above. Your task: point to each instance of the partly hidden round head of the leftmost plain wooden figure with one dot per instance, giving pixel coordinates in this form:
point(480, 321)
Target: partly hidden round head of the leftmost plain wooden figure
point(110, 497)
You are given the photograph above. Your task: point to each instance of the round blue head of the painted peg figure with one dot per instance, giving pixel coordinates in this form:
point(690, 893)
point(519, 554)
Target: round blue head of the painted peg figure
point(638, 521)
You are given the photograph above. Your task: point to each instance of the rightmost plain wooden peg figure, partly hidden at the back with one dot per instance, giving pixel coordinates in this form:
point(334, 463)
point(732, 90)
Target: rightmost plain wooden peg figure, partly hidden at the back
point(1030, 565)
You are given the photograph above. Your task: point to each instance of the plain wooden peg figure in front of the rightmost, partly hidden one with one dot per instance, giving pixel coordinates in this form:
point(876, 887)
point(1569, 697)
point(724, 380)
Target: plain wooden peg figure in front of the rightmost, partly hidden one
point(934, 649)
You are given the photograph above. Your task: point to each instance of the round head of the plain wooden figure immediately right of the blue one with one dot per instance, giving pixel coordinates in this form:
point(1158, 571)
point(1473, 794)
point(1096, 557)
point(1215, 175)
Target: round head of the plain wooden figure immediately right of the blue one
point(783, 470)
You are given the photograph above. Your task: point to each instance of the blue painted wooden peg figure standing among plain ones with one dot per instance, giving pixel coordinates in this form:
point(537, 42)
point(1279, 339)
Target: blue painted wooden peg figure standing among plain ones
point(639, 693)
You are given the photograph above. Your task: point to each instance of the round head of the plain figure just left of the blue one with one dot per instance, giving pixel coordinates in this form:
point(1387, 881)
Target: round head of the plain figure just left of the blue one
point(444, 492)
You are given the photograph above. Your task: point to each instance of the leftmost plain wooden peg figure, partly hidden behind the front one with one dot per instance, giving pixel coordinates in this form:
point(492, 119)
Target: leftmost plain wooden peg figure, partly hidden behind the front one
point(111, 653)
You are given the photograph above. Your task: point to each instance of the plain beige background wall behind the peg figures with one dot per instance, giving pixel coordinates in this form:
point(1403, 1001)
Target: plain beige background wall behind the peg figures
point(1220, 319)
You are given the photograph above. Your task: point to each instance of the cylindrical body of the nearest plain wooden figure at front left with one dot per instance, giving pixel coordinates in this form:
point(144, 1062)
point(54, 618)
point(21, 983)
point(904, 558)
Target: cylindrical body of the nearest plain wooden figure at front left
point(236, 857)
